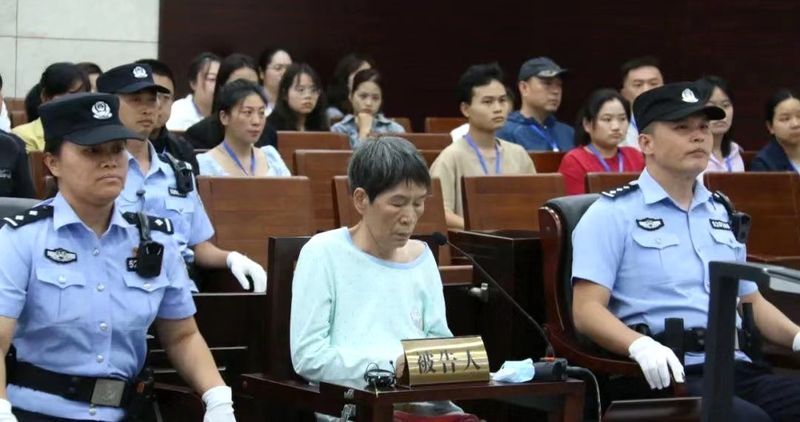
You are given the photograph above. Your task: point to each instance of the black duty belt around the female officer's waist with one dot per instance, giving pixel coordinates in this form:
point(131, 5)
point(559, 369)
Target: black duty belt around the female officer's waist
point(98, 391)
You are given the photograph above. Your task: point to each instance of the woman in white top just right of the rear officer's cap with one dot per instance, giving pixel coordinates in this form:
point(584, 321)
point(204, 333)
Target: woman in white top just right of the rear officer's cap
point(194, 107)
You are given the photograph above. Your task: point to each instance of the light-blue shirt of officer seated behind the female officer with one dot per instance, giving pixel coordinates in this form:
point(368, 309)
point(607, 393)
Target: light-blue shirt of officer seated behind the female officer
point(161, 198)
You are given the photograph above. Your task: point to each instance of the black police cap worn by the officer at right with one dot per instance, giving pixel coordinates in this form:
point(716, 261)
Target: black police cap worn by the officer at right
point(672, 102)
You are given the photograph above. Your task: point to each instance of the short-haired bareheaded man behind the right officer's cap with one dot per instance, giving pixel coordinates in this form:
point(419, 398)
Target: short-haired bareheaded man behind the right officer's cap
point(639, 75)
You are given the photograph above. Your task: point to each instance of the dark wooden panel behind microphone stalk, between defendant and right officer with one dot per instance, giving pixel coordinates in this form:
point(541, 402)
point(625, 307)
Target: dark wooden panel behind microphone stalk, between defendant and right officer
point(513, 259)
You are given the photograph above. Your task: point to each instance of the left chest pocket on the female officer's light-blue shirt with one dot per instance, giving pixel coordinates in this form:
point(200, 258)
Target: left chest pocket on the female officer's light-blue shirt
point(60, 295)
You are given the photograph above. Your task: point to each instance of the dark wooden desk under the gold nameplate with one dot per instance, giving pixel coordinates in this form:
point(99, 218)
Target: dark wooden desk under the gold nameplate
point(374, 407)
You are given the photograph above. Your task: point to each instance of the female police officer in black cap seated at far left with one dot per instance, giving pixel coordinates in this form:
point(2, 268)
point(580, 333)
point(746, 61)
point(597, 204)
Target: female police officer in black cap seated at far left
point(81, 281)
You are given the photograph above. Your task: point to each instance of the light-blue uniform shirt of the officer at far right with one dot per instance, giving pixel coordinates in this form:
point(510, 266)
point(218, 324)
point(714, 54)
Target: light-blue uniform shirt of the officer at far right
point(653, 256)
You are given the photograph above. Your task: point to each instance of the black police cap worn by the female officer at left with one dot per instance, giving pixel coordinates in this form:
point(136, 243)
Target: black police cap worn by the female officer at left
point(84, 119)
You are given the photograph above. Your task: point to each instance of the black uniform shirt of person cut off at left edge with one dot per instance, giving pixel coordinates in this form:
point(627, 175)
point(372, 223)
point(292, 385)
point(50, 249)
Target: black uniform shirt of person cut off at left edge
point(15, 175)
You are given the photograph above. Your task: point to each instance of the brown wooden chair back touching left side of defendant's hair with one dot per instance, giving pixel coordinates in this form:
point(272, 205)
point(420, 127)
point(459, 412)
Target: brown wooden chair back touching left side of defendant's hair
point(320, 166)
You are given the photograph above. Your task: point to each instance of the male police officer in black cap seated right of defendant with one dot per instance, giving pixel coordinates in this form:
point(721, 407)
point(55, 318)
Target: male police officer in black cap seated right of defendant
point(641, 255)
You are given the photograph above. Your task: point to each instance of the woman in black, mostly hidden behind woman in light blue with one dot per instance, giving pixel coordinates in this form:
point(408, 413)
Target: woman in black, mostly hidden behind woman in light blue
point(208, 133)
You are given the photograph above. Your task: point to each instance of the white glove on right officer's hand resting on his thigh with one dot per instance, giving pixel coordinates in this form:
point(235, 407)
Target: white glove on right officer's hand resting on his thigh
point(656, 360)
